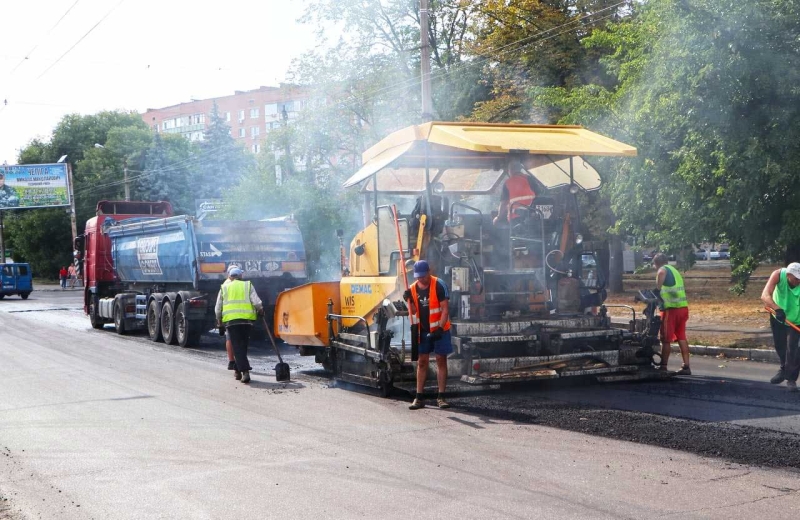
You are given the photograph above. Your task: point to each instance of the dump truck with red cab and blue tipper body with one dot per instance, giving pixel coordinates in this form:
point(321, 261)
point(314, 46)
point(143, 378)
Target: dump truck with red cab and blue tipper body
point(146, 268)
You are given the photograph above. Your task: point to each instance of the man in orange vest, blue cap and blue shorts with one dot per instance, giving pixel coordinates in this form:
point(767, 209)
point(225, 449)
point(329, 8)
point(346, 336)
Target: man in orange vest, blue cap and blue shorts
point(428, 299)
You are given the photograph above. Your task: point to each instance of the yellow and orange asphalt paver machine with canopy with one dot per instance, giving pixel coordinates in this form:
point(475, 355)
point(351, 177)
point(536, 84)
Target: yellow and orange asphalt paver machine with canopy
point(527, 297)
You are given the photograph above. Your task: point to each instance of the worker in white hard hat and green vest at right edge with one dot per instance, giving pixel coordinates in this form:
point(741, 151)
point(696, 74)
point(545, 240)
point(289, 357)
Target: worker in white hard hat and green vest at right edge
point(782, 294)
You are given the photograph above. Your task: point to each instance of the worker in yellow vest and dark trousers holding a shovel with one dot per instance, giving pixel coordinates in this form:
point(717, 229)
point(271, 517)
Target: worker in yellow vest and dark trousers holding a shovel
point(237, 308)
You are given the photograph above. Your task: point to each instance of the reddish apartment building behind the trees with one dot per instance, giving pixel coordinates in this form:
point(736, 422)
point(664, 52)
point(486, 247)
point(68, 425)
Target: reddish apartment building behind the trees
point(251, 114)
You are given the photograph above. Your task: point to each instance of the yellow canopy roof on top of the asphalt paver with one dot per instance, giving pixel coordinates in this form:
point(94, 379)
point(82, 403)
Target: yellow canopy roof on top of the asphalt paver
point(471, 157)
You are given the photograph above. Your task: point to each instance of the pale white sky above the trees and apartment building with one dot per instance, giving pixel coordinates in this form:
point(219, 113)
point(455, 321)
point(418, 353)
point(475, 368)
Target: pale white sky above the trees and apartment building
point(85, 56)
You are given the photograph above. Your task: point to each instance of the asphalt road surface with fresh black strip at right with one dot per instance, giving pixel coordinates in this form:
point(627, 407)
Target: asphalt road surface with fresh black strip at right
point(95, 425)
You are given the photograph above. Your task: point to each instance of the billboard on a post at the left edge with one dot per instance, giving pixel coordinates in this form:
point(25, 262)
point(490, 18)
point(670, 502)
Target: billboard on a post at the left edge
point(33, 186)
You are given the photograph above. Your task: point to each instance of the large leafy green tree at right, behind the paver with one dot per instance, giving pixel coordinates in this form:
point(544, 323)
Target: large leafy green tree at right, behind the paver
point(696, 90)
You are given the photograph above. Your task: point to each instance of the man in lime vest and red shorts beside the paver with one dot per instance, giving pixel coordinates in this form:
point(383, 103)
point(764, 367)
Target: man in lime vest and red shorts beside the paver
point(674, 314)
